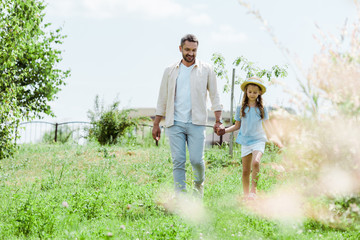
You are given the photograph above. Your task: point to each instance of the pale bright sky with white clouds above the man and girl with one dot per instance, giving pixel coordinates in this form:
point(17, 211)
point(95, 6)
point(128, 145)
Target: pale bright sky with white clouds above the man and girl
point(118, 49)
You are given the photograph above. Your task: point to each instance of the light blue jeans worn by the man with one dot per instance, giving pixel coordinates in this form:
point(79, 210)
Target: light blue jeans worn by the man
point(194, 135)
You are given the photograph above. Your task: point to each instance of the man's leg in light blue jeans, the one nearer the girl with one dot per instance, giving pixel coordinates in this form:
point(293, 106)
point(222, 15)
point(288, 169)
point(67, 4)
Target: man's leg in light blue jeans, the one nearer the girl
point(196, 145)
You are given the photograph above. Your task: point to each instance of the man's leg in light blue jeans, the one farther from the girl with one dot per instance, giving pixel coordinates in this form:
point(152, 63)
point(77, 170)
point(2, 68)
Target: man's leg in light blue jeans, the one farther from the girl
point(177, 139)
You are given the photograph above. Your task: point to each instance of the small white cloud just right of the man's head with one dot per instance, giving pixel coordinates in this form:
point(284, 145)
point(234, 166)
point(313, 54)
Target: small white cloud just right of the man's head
point(228, 34)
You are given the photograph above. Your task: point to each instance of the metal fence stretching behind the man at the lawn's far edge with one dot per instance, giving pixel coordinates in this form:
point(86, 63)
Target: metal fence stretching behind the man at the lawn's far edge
point(76, 131)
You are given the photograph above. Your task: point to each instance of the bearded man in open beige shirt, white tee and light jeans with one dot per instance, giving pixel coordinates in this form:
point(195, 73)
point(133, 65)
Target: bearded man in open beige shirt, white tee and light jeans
point(182, 100)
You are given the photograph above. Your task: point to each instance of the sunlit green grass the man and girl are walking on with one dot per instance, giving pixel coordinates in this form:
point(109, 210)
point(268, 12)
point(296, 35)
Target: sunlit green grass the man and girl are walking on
point(55, 191)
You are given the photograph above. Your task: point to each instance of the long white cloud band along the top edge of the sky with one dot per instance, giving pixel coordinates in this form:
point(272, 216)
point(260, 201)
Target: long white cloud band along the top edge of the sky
point(154, 9)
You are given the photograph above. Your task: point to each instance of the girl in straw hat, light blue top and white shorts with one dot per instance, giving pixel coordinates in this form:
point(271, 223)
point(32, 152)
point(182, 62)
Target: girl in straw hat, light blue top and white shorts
point(250, 119)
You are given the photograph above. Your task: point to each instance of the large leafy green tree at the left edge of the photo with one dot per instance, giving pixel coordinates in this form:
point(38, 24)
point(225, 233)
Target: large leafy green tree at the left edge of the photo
point(29, 78)
